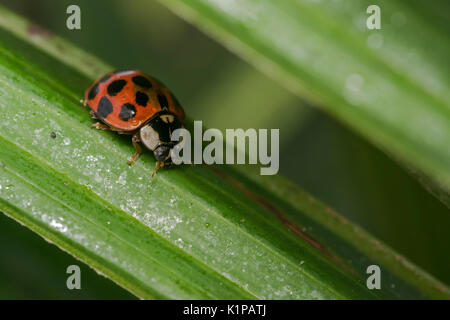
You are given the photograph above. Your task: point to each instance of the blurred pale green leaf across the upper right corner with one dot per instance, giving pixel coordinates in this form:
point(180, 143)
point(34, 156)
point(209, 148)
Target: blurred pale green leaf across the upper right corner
point(390, 85)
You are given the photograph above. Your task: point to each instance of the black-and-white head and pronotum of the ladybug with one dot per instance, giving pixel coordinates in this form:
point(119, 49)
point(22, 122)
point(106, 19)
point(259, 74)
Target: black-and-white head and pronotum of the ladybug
point(156, 135)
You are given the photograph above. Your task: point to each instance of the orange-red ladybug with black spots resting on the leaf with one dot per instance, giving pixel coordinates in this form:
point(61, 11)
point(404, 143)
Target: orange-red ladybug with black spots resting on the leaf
point(132, 102)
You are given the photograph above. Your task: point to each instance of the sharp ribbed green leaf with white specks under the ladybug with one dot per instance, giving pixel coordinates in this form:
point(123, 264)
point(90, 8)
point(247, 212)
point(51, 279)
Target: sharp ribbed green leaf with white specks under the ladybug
point(196, 232)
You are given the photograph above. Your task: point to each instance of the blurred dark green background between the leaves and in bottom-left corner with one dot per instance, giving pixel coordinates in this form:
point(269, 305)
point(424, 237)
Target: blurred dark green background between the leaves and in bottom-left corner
point(215, 86)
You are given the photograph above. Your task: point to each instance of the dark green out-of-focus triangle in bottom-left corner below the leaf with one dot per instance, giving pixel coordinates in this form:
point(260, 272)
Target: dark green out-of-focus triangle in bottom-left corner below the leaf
point(31, 268)
